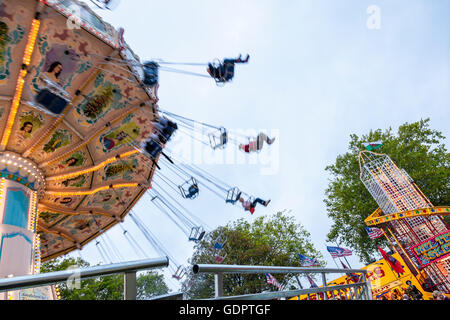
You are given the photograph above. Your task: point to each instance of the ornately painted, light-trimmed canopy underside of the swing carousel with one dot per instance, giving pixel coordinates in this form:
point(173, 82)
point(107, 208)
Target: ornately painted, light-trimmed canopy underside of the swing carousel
point(94, 174)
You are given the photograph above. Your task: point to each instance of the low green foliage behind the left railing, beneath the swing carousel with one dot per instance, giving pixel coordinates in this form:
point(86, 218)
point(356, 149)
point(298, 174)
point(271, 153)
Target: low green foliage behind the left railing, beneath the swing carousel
point(149, 284)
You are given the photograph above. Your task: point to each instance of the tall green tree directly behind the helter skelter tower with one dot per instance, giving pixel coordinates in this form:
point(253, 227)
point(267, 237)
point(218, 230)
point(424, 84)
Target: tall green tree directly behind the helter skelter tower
point(414, 147)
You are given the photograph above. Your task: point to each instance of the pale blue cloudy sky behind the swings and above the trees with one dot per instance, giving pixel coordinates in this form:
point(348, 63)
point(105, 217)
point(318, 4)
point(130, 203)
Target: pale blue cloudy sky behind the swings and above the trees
point(316, 74)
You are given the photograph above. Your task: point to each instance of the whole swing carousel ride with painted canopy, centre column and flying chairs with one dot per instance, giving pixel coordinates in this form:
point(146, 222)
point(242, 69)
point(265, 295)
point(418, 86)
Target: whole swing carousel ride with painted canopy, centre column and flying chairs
point(83, 137)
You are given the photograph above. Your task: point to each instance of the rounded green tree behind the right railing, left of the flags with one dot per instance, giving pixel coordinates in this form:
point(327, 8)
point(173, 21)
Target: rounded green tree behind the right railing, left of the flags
point(270, 241)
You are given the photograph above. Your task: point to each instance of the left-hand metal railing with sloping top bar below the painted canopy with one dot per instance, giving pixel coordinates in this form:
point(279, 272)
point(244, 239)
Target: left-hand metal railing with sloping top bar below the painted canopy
point(129, 270)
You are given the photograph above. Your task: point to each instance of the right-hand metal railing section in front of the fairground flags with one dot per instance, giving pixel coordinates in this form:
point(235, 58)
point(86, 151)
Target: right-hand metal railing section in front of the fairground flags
point(356, 291)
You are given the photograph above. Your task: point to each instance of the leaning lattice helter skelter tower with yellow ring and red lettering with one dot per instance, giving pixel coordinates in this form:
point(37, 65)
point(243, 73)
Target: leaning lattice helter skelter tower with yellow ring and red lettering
point(411, 222)
